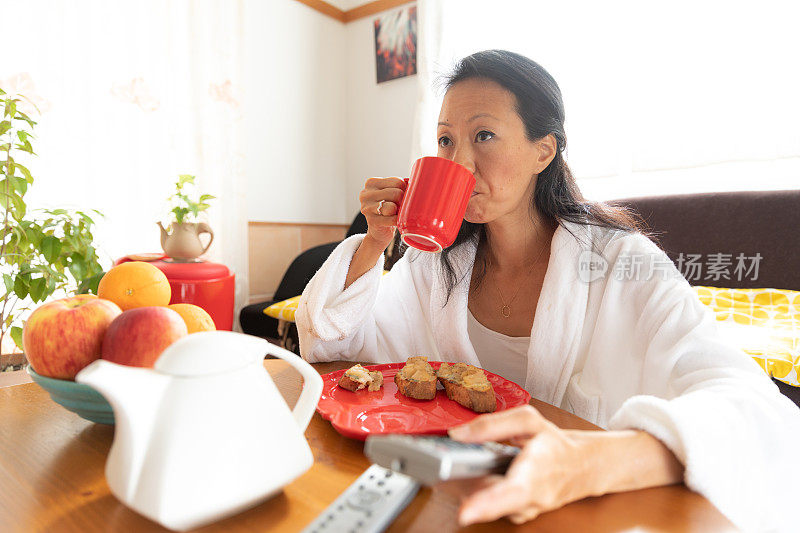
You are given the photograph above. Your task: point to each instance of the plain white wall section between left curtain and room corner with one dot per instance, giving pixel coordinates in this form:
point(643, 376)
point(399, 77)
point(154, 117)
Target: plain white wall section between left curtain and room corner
point(295, 127)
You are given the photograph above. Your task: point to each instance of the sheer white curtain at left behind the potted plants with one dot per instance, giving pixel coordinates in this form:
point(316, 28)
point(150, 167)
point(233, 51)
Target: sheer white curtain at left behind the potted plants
point(131, 95)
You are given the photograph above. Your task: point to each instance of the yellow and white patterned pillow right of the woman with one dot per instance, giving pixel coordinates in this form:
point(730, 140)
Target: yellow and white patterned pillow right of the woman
point(765, 323)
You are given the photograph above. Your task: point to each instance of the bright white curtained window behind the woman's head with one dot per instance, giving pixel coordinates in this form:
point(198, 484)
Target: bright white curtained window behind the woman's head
point(678, 97)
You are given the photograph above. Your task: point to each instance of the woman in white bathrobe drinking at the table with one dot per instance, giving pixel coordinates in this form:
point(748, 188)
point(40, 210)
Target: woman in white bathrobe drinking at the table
point(540, 287)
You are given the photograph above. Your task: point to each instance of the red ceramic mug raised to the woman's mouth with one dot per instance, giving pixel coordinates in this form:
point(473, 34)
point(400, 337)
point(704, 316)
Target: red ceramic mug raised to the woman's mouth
point(434, 203)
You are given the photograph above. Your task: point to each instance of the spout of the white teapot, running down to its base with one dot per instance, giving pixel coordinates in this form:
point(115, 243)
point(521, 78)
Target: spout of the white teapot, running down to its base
point(135, 395)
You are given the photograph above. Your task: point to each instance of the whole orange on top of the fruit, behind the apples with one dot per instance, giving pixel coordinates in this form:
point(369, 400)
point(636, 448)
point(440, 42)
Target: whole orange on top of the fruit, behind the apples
point(135, 284)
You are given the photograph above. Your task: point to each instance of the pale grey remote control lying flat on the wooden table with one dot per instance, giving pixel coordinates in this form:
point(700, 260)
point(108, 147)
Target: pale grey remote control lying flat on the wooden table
point(369, 505)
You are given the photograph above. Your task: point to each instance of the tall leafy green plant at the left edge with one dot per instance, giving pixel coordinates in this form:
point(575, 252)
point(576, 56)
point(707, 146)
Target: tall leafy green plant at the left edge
point(42, 251)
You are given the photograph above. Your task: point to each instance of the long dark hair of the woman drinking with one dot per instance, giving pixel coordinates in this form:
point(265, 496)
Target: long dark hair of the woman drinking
point(540, 106)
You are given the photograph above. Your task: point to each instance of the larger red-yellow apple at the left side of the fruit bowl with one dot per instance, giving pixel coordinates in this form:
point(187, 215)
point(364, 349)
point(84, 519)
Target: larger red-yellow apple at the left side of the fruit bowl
point(63, 336)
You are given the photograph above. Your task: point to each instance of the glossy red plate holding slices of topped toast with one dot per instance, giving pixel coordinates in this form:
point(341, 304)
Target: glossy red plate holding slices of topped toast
point(362, 413)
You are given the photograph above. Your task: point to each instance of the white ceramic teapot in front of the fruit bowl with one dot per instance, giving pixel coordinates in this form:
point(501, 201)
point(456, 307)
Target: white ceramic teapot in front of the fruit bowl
point(206, 433)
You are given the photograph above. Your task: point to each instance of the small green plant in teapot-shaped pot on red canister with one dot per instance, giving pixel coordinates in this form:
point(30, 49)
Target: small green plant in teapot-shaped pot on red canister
point(182, 242)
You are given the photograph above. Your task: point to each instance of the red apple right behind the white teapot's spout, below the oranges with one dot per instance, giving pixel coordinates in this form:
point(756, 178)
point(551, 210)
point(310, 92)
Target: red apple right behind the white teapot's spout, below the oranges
point(138, 336)
